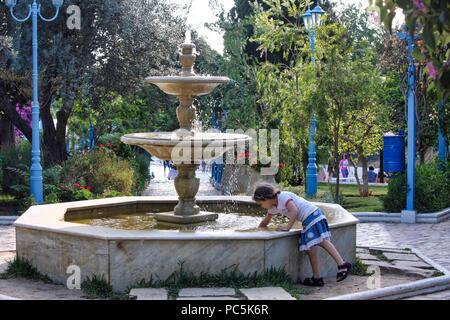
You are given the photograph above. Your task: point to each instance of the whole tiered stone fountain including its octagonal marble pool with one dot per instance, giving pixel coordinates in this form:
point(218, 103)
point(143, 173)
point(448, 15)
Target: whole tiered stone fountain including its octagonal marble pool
point(60, 239)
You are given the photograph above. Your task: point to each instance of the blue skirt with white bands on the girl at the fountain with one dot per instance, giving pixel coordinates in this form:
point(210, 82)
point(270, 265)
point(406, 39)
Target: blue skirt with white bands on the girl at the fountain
point(315, 230)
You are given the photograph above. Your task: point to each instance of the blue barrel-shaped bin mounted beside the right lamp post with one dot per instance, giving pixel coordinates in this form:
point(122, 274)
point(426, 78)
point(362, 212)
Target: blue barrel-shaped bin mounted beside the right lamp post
point(394, 153)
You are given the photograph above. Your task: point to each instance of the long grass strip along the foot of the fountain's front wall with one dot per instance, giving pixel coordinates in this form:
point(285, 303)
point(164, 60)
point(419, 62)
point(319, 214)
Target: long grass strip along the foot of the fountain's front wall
point(228, 277)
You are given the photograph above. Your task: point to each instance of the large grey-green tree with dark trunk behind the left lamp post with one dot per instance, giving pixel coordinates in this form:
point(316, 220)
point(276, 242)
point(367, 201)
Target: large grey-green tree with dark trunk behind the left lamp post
point(119, 43)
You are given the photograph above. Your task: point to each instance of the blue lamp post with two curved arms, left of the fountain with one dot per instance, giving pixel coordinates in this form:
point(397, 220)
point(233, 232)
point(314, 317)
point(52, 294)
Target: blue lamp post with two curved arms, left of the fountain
point(36, 187)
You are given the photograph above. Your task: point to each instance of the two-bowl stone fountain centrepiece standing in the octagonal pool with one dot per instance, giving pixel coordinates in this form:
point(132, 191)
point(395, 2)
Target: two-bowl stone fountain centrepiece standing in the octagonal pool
point(186, 147)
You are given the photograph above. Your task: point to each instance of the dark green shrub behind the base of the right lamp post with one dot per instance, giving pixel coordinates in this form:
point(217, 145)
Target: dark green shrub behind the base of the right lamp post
point(431, 193)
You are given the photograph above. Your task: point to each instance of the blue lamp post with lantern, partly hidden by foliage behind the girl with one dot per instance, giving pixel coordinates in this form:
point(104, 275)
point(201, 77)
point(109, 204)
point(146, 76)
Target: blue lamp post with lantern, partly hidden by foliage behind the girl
point(312, 19)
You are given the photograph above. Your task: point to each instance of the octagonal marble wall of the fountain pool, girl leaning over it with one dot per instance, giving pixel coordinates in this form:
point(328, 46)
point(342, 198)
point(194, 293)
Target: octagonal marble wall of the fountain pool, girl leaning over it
point(50, 238)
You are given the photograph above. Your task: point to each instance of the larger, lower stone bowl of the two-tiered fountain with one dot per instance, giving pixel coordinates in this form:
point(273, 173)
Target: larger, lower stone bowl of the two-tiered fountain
point(188, 148)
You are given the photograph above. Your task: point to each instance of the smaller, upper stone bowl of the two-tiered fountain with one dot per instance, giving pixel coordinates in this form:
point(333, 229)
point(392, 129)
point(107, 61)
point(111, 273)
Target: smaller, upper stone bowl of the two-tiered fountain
point(187, 85)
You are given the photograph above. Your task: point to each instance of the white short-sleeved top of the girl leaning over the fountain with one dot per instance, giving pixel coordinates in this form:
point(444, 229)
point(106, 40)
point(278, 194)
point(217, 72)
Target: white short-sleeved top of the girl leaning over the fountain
point(305, 208)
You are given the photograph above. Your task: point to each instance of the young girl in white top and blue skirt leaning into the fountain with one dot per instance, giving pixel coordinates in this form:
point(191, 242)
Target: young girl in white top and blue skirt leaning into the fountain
point(315, 227)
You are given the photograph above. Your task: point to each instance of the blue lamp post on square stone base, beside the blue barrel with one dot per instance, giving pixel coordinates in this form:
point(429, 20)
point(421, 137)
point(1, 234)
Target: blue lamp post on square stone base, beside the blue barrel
point(409, 214)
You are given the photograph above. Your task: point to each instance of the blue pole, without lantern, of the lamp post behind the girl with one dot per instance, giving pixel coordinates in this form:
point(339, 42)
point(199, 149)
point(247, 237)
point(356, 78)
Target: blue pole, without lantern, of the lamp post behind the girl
point(311, 171)
